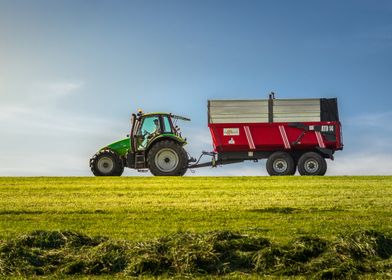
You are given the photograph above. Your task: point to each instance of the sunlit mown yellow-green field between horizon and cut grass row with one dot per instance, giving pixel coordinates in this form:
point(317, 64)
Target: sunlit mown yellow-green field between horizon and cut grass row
point(143, 208)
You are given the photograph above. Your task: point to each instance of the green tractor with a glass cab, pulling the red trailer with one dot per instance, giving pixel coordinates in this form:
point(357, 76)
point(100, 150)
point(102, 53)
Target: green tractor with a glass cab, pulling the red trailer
point(154, 144)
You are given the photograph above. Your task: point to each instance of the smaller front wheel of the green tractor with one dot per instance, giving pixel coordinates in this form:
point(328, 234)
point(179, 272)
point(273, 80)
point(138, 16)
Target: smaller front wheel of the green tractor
point(106, 163)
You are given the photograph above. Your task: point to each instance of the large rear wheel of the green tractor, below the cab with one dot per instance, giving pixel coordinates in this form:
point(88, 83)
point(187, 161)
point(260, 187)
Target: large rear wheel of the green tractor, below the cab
point(167, 158)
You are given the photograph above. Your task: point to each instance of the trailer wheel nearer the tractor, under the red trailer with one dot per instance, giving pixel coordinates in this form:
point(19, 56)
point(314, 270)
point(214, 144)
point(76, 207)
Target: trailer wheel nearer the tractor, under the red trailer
point(280, 164)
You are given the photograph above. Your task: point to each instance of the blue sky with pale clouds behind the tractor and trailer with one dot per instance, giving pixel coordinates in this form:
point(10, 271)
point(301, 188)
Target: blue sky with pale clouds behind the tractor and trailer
point(72, 72)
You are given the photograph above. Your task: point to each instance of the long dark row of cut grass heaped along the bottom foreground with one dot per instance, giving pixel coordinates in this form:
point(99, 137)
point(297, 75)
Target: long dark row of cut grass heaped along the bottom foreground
point(196, 254)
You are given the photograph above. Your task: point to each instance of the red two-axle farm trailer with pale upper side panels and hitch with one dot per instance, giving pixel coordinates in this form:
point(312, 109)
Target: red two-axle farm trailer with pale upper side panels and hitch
point(290, 133)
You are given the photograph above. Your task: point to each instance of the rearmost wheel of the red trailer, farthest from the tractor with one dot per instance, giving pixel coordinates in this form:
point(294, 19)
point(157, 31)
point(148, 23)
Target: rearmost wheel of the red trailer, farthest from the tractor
point(312, 164)
